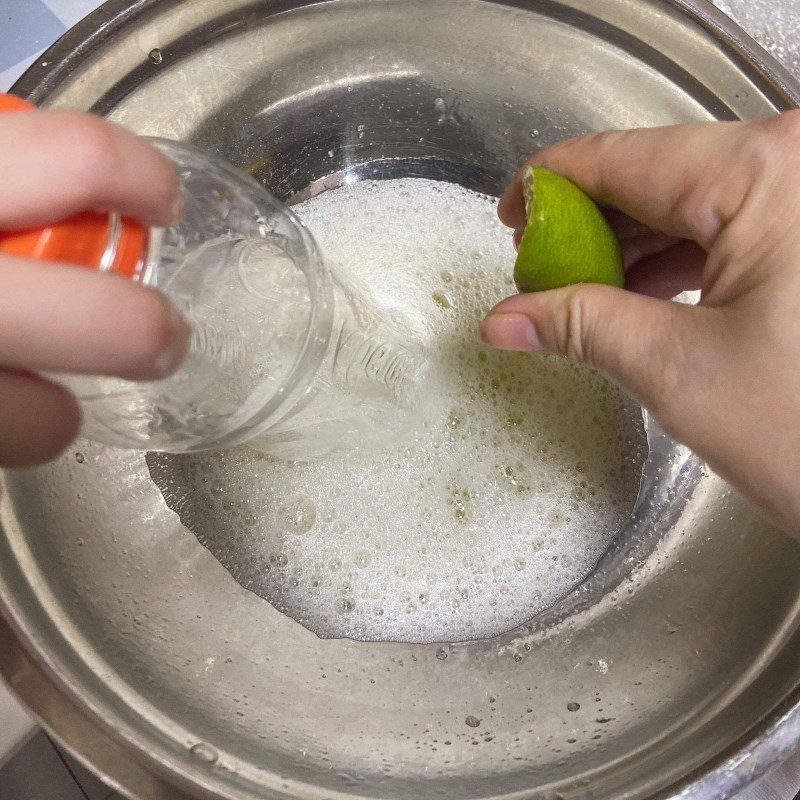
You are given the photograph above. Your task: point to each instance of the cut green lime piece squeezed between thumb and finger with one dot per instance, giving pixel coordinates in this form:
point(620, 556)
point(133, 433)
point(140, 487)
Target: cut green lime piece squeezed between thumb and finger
point(566, 239)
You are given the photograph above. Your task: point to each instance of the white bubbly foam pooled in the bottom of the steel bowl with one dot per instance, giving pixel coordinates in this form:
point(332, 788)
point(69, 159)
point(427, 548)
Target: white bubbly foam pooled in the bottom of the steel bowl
point(520, 471)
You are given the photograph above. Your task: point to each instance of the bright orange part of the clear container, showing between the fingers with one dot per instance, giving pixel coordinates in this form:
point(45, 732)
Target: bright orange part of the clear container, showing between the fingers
point(92, 240)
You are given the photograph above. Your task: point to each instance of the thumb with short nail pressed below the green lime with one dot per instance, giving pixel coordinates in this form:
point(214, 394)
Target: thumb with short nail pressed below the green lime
point(648, 346)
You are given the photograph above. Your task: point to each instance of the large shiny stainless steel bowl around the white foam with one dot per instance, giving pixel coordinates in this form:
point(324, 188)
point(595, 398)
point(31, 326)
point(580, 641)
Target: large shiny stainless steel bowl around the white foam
point(678, 678)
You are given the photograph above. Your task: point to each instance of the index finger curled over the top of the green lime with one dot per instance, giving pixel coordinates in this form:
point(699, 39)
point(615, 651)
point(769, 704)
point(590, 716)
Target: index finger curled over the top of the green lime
point(685, 180)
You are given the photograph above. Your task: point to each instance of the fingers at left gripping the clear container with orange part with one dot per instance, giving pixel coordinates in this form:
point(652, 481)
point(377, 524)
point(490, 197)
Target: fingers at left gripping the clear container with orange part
point(58, 318)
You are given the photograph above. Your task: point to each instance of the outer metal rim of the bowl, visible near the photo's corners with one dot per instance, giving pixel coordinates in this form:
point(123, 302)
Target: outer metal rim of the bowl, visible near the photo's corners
point(58, 706)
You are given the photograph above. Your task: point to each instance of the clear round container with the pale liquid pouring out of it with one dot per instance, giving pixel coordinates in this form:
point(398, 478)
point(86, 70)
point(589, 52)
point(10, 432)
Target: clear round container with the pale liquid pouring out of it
point(284, 355)
